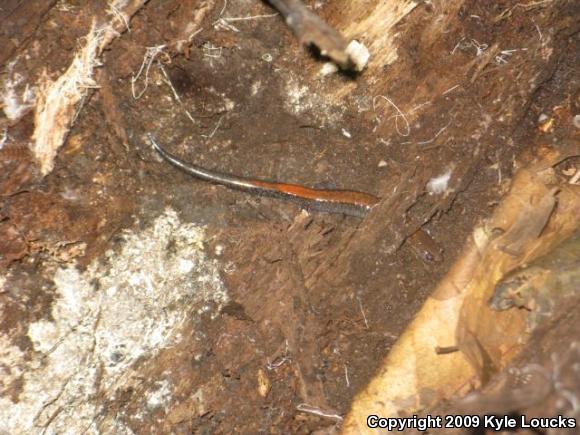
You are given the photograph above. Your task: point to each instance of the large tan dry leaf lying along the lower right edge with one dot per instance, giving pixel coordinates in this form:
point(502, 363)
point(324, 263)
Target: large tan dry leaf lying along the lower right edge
point(526, 225)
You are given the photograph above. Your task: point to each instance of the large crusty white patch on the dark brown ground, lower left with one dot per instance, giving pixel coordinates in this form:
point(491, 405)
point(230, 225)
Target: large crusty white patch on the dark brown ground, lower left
point(124, 308)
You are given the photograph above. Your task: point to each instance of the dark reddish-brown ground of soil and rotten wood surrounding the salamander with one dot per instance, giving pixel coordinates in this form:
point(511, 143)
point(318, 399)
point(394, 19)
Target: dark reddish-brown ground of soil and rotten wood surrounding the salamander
point(319, 297)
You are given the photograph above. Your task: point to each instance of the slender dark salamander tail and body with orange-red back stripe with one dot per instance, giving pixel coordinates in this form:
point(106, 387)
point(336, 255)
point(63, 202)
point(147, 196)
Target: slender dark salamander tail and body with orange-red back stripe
point(347, 202)
